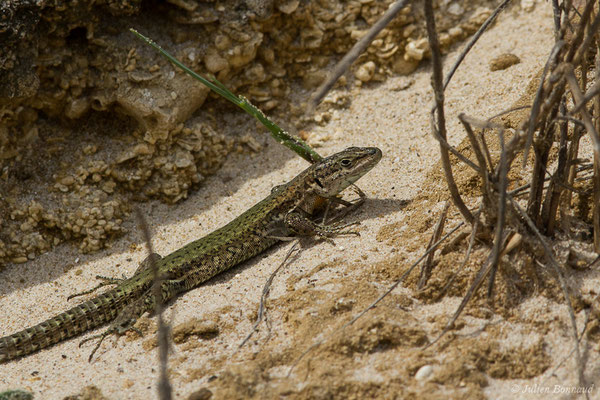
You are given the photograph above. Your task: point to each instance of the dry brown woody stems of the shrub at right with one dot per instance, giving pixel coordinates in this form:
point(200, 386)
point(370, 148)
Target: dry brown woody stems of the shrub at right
point(559, 206)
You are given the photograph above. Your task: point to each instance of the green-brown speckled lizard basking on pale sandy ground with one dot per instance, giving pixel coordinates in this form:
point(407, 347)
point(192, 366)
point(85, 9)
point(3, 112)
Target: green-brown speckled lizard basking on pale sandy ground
point(286, 212)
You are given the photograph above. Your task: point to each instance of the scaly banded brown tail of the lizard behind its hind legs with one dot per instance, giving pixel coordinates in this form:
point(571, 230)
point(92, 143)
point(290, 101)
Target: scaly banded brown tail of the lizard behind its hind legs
point(83, 317)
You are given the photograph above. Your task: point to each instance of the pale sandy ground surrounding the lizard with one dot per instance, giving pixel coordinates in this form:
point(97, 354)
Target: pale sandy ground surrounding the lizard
point(325, 285)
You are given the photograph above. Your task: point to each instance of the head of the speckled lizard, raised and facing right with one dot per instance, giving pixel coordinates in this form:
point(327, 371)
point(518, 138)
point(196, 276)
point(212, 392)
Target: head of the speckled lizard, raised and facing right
point(340, 170)
